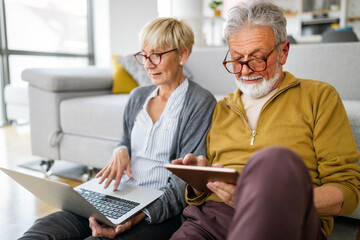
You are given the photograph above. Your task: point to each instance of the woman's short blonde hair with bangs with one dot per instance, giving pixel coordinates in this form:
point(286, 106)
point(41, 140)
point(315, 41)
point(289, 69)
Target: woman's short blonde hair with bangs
point(167, 33)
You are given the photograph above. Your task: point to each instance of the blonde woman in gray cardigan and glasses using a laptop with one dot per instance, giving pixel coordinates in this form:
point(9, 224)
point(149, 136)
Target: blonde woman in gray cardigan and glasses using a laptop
point(162, 122)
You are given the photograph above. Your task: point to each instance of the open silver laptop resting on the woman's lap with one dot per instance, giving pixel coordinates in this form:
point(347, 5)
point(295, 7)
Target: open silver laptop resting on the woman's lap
point(90, 198)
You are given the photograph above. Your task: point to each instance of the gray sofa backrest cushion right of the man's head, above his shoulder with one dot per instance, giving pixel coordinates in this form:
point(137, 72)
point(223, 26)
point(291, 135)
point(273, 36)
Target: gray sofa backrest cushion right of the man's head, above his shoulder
point(317, 61)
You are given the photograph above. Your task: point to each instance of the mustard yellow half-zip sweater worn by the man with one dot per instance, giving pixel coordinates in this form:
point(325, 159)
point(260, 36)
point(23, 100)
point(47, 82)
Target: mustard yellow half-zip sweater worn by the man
point(306, 116)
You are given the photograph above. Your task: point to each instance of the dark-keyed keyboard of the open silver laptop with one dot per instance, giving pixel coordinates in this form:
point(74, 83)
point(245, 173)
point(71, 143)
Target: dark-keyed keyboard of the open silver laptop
point(108, 205)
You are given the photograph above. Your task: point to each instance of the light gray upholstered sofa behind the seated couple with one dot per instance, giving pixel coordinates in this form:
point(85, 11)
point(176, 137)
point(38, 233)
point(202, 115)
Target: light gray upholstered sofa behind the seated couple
point(74, 116)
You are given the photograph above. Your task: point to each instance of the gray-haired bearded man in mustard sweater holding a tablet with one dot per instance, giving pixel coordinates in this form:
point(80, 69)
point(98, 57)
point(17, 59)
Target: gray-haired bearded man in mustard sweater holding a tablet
point(288, 137)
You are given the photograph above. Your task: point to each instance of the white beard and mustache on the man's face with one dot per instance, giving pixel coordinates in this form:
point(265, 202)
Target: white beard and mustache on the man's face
point(258, 90)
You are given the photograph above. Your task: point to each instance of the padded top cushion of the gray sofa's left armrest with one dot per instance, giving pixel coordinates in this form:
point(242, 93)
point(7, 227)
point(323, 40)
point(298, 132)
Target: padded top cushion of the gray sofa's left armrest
point(69, 79)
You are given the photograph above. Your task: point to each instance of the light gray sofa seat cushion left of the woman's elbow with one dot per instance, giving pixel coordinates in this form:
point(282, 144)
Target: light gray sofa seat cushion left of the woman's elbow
point(97, 116)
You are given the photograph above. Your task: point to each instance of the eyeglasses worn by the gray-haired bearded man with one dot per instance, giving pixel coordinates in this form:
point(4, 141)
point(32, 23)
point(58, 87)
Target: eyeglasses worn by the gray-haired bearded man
point(256, 65)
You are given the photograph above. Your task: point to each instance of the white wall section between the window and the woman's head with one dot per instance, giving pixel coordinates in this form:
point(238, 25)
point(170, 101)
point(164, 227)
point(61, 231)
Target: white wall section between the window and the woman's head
point(117, 25)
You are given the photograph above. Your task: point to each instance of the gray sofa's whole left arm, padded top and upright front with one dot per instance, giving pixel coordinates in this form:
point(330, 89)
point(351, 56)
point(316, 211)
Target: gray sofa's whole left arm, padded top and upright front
point(48, 87)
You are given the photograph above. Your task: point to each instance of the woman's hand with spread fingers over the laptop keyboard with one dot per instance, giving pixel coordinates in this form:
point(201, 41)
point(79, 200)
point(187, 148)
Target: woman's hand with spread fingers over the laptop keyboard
point(120, 161)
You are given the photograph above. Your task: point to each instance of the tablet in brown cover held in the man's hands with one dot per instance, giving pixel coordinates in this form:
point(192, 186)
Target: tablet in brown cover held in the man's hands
point(197, 177)
